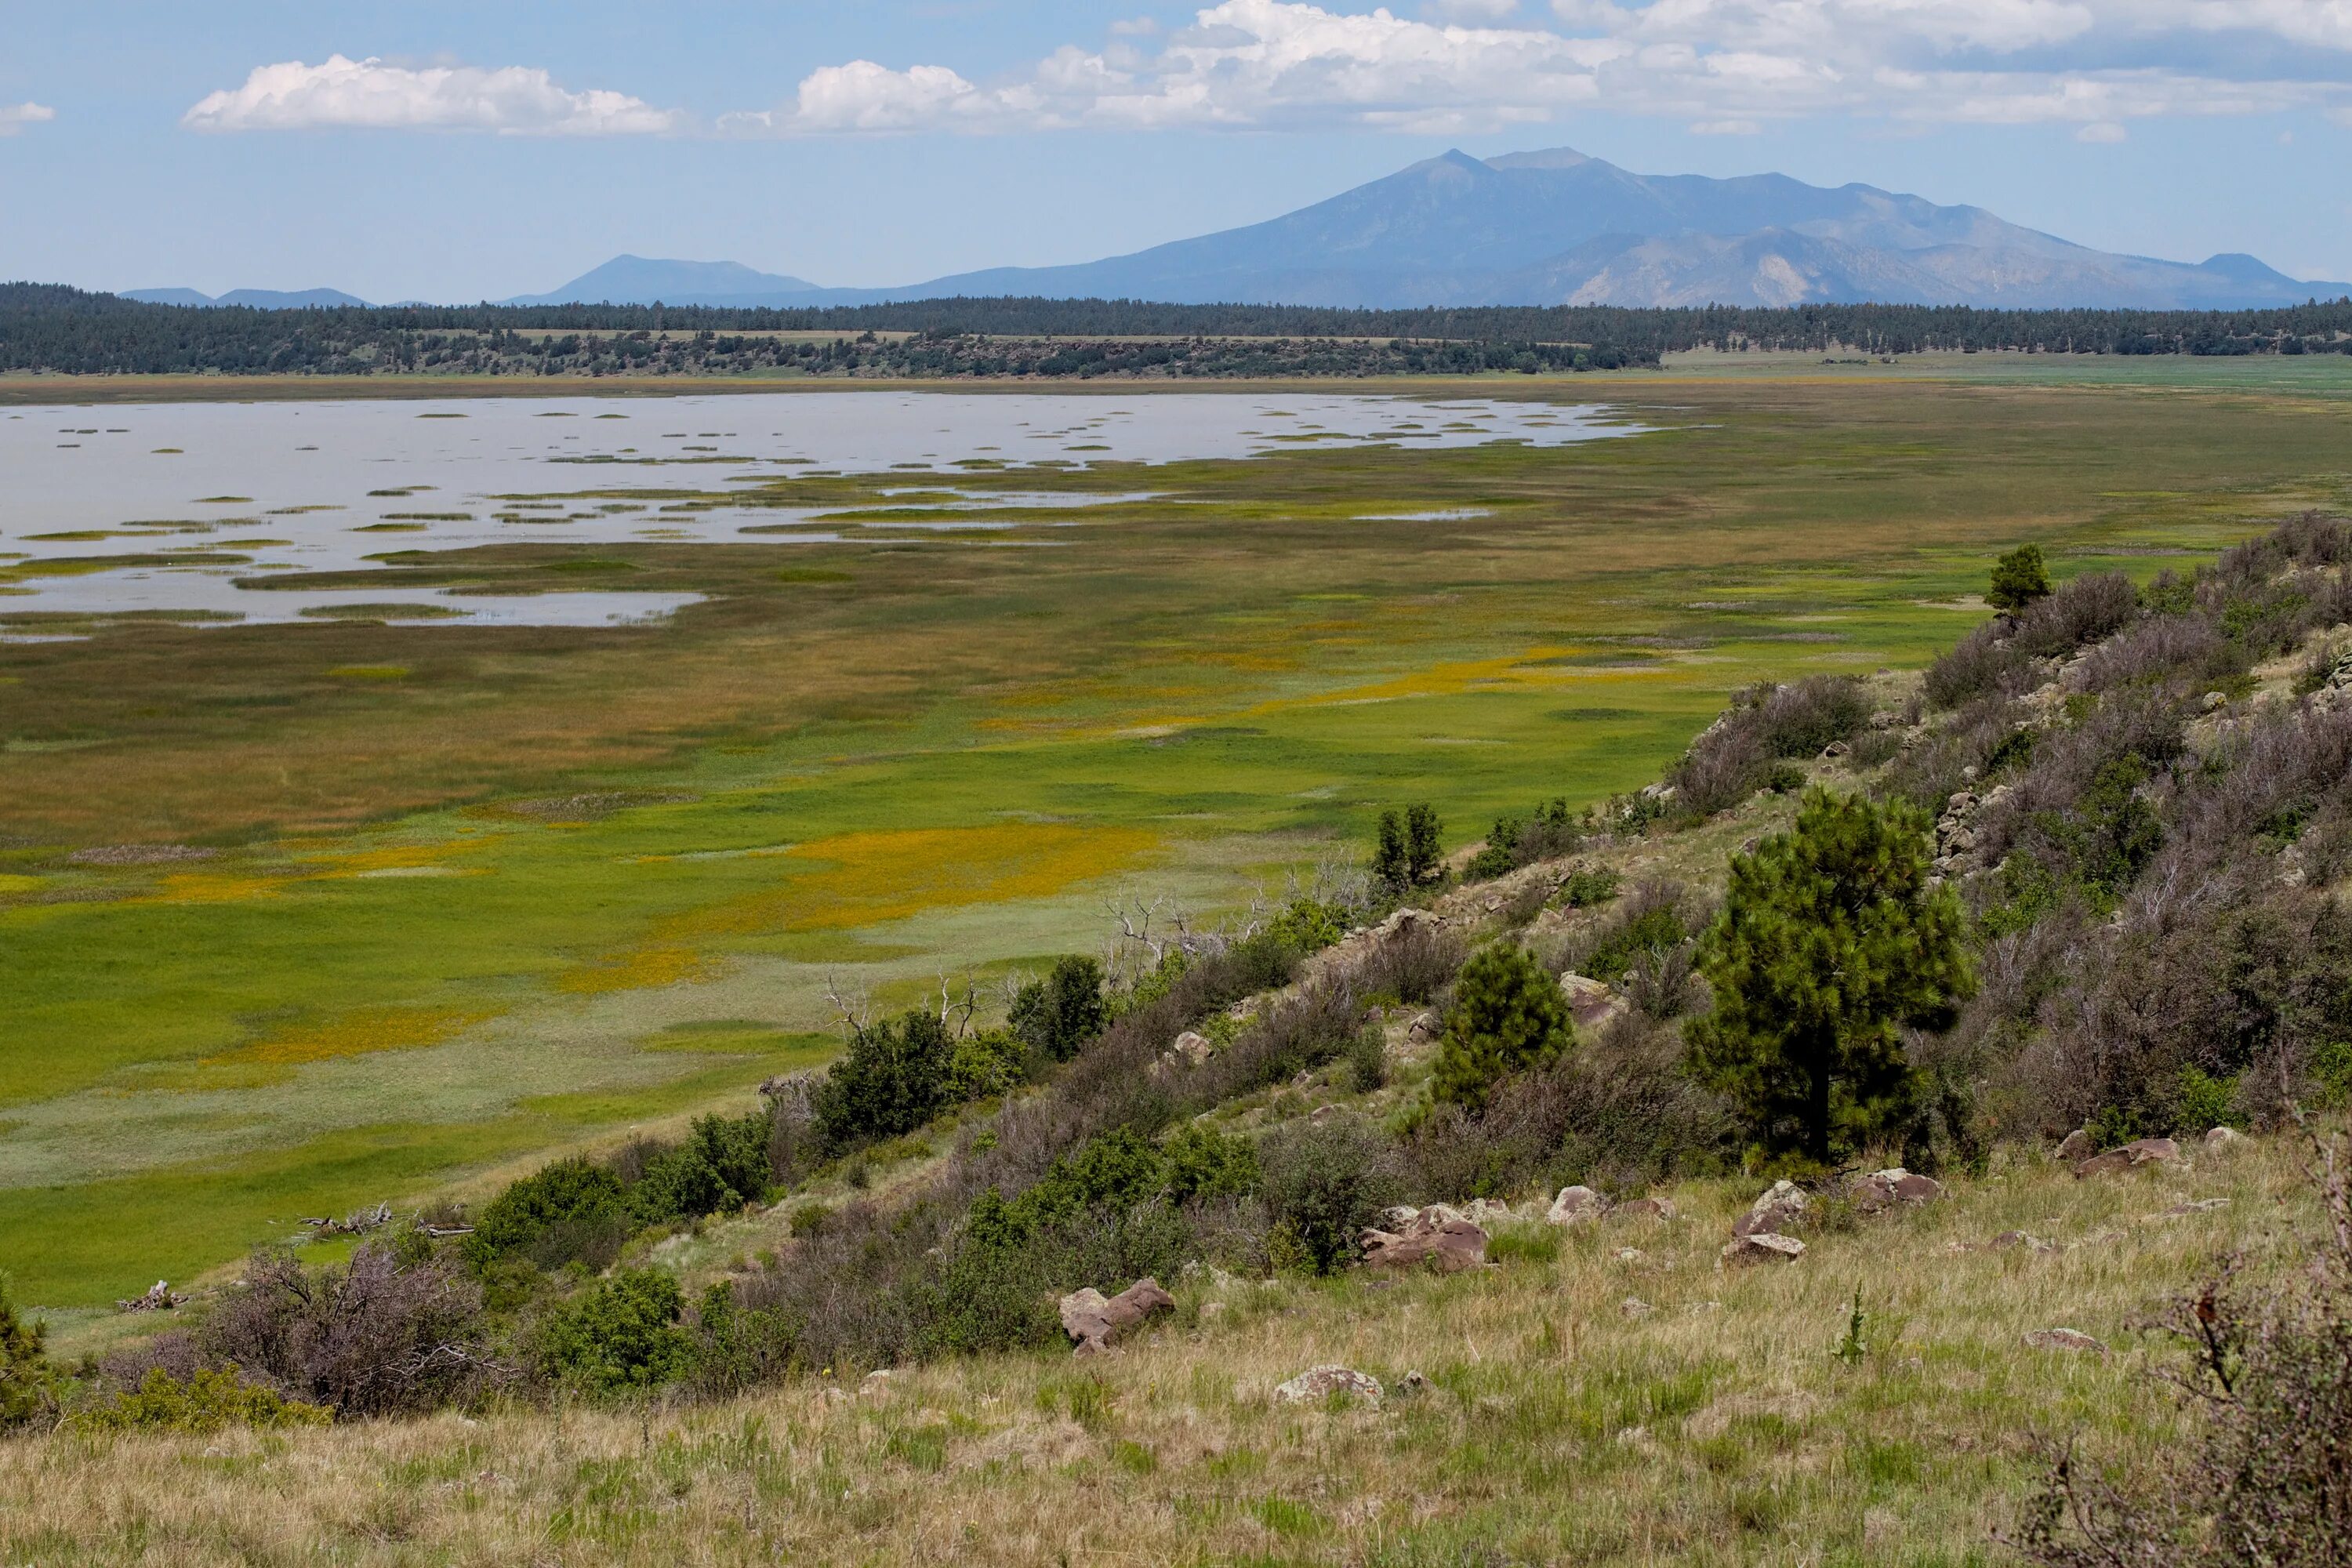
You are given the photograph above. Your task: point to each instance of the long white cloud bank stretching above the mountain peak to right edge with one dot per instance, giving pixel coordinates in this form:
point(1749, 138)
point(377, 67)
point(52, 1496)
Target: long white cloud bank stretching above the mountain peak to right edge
point(1723, 67)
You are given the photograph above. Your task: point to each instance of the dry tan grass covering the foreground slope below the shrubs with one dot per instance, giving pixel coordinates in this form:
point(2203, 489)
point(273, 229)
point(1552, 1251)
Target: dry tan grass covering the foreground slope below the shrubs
point(1561, 1426)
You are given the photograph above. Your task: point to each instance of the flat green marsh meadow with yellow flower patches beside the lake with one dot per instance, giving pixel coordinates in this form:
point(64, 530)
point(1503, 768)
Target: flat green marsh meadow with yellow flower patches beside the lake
point(300, 918)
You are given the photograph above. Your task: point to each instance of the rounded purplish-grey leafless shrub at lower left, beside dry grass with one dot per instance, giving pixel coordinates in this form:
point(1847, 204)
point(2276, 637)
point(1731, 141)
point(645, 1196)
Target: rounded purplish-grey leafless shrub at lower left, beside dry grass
point(377, 1336)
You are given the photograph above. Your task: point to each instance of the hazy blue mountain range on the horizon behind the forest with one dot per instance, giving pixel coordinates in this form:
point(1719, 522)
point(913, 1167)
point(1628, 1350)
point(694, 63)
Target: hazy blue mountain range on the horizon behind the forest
point(1535, 229)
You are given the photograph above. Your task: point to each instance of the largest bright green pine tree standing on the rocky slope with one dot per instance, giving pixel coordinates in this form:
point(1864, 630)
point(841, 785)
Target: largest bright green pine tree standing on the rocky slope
point(1829, 944)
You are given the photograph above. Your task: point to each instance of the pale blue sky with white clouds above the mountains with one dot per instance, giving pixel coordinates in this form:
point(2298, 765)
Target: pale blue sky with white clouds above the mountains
point(457, 152)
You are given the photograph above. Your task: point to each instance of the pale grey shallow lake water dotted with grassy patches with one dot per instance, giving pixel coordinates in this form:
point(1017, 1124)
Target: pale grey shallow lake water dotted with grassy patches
point(175, 507)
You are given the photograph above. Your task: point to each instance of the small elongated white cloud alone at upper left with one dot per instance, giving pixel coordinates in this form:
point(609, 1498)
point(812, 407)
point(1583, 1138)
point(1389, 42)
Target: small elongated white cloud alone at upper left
point(373, 95)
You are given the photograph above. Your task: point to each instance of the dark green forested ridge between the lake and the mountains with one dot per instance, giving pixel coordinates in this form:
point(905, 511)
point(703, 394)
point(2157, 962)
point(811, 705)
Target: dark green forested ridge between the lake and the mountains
point(60, 330)
